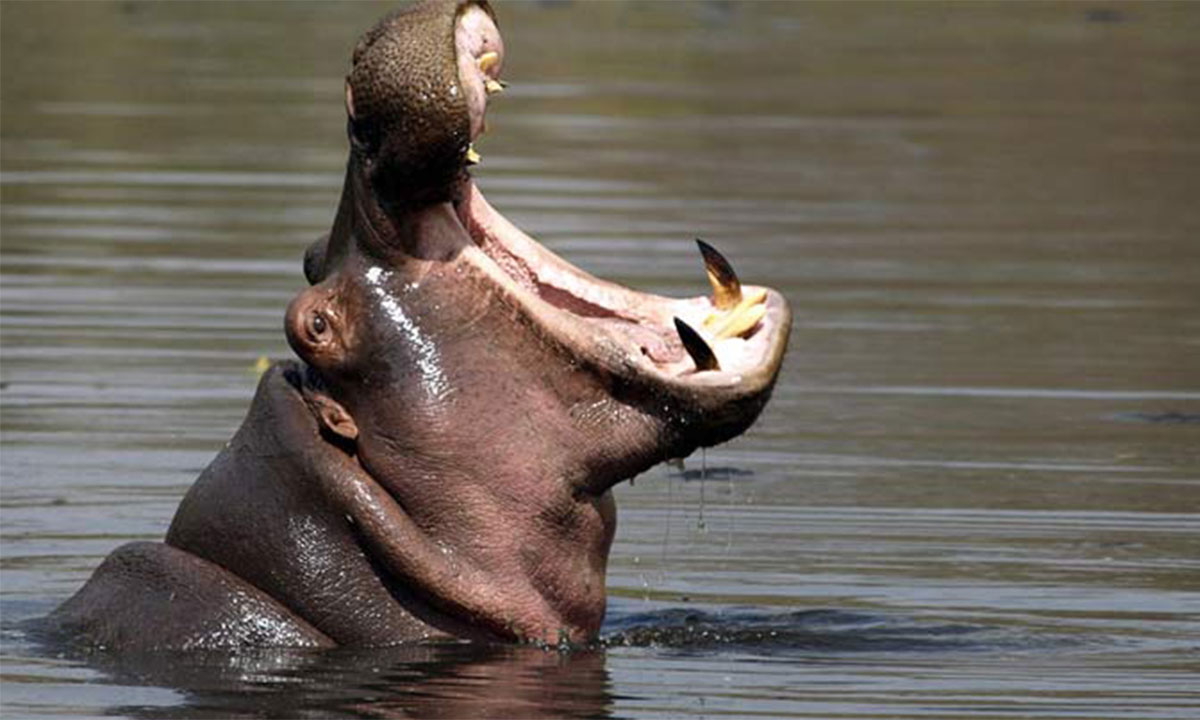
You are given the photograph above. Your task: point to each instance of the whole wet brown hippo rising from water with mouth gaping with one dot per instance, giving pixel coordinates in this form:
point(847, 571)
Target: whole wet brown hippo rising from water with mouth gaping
point(439, 460)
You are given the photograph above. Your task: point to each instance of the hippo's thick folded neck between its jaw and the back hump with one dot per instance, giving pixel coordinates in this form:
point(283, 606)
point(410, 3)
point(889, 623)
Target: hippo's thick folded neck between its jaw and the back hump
point(484, 569)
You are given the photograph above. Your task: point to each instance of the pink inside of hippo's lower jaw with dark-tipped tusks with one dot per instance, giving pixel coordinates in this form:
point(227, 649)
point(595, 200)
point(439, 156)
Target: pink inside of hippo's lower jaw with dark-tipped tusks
point(734, 338)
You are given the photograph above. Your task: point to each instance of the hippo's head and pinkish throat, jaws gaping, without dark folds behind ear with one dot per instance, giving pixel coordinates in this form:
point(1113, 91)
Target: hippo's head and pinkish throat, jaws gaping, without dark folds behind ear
point(491, 389)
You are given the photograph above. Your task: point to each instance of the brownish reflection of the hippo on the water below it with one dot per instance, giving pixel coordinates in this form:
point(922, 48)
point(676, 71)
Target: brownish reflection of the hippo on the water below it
point(445, 681)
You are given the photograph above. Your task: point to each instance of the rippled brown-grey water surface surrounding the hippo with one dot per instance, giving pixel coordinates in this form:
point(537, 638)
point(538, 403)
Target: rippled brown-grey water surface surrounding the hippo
point(976, 493)
